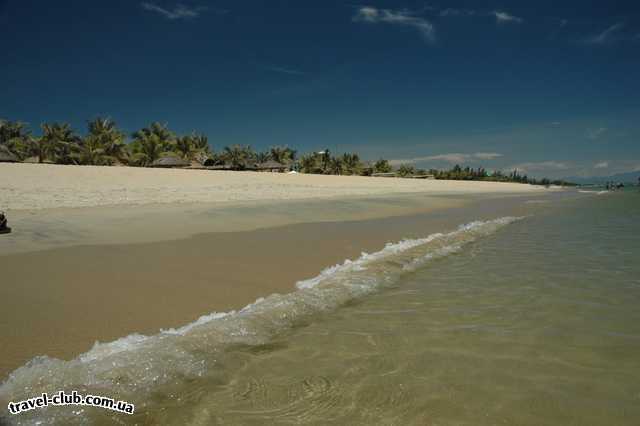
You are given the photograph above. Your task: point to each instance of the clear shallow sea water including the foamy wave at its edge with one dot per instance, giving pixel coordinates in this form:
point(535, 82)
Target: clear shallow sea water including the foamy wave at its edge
point(530, 320)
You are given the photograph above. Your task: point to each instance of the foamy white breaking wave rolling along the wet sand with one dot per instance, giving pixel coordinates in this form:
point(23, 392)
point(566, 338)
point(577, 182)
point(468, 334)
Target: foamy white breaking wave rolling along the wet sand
point(136, 366)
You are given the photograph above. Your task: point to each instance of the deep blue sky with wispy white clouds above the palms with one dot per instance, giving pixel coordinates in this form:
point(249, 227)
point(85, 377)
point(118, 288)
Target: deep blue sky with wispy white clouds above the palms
point(551, 88)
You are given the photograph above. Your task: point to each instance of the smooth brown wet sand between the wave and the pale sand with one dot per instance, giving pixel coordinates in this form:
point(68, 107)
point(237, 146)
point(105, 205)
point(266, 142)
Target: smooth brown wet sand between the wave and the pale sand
point(60, 301)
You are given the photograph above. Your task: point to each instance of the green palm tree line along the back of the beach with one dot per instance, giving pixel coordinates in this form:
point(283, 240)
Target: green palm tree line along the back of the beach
point(105, 144)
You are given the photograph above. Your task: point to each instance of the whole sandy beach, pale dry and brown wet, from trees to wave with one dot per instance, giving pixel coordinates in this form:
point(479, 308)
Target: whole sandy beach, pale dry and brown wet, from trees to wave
point(125, 250)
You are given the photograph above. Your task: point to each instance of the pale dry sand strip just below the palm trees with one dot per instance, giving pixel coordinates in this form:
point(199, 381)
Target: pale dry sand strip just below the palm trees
point(40, 186)
